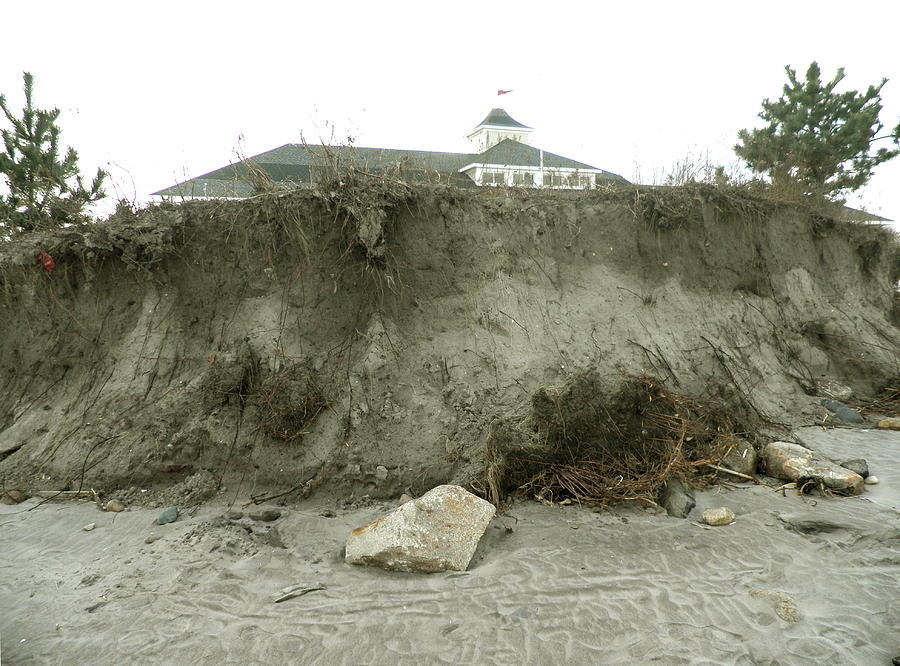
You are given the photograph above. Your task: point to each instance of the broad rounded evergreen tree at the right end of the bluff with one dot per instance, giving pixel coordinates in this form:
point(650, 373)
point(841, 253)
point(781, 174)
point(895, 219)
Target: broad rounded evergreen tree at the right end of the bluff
point(817, 138)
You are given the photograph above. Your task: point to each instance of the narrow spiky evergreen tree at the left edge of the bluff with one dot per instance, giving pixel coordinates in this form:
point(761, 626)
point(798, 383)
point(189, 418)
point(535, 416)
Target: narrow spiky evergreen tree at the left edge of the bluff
point(44, 189)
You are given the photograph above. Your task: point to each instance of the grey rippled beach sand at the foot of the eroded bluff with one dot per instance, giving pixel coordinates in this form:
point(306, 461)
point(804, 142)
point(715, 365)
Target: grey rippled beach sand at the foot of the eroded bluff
point(794, 580)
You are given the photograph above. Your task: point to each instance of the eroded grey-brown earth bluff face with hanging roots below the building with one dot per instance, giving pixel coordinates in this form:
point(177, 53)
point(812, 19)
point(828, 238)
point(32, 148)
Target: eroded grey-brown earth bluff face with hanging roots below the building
point(363, 338)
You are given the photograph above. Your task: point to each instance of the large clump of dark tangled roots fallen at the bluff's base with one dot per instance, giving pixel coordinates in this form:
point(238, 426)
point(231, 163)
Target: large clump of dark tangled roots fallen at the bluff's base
point(591, 443)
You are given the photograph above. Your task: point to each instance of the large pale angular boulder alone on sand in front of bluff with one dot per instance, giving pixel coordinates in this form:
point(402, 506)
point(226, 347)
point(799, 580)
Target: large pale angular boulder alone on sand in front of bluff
point(437, 532)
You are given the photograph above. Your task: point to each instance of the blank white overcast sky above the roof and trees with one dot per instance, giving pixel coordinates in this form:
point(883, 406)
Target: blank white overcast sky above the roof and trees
point(157, 92)
